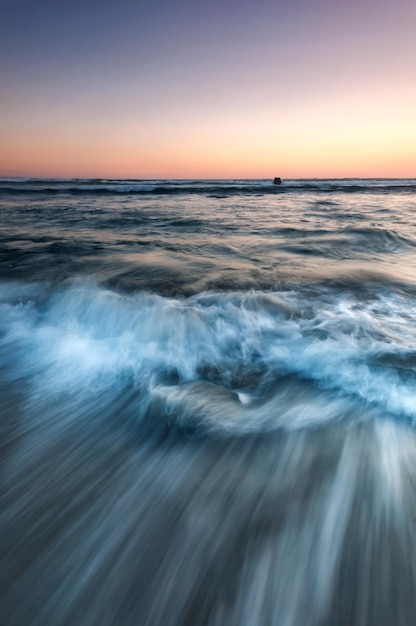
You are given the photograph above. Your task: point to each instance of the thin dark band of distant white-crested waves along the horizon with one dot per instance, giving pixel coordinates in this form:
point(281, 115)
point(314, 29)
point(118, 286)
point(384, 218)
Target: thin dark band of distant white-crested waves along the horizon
point(210, 188)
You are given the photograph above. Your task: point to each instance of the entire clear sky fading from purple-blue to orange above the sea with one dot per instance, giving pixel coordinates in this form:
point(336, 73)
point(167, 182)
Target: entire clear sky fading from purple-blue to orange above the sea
point(219, 89)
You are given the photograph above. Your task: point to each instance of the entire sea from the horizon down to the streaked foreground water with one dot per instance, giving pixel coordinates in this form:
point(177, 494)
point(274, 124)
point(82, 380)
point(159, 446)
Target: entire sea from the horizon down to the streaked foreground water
point(208, 403)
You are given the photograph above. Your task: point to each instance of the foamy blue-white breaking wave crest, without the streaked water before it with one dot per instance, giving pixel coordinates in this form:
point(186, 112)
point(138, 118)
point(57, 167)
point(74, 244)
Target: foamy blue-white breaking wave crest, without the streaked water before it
point(227, 362)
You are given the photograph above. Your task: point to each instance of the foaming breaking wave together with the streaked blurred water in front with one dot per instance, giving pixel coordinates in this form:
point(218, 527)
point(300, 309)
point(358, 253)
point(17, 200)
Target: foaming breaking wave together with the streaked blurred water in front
point(235, 458)
